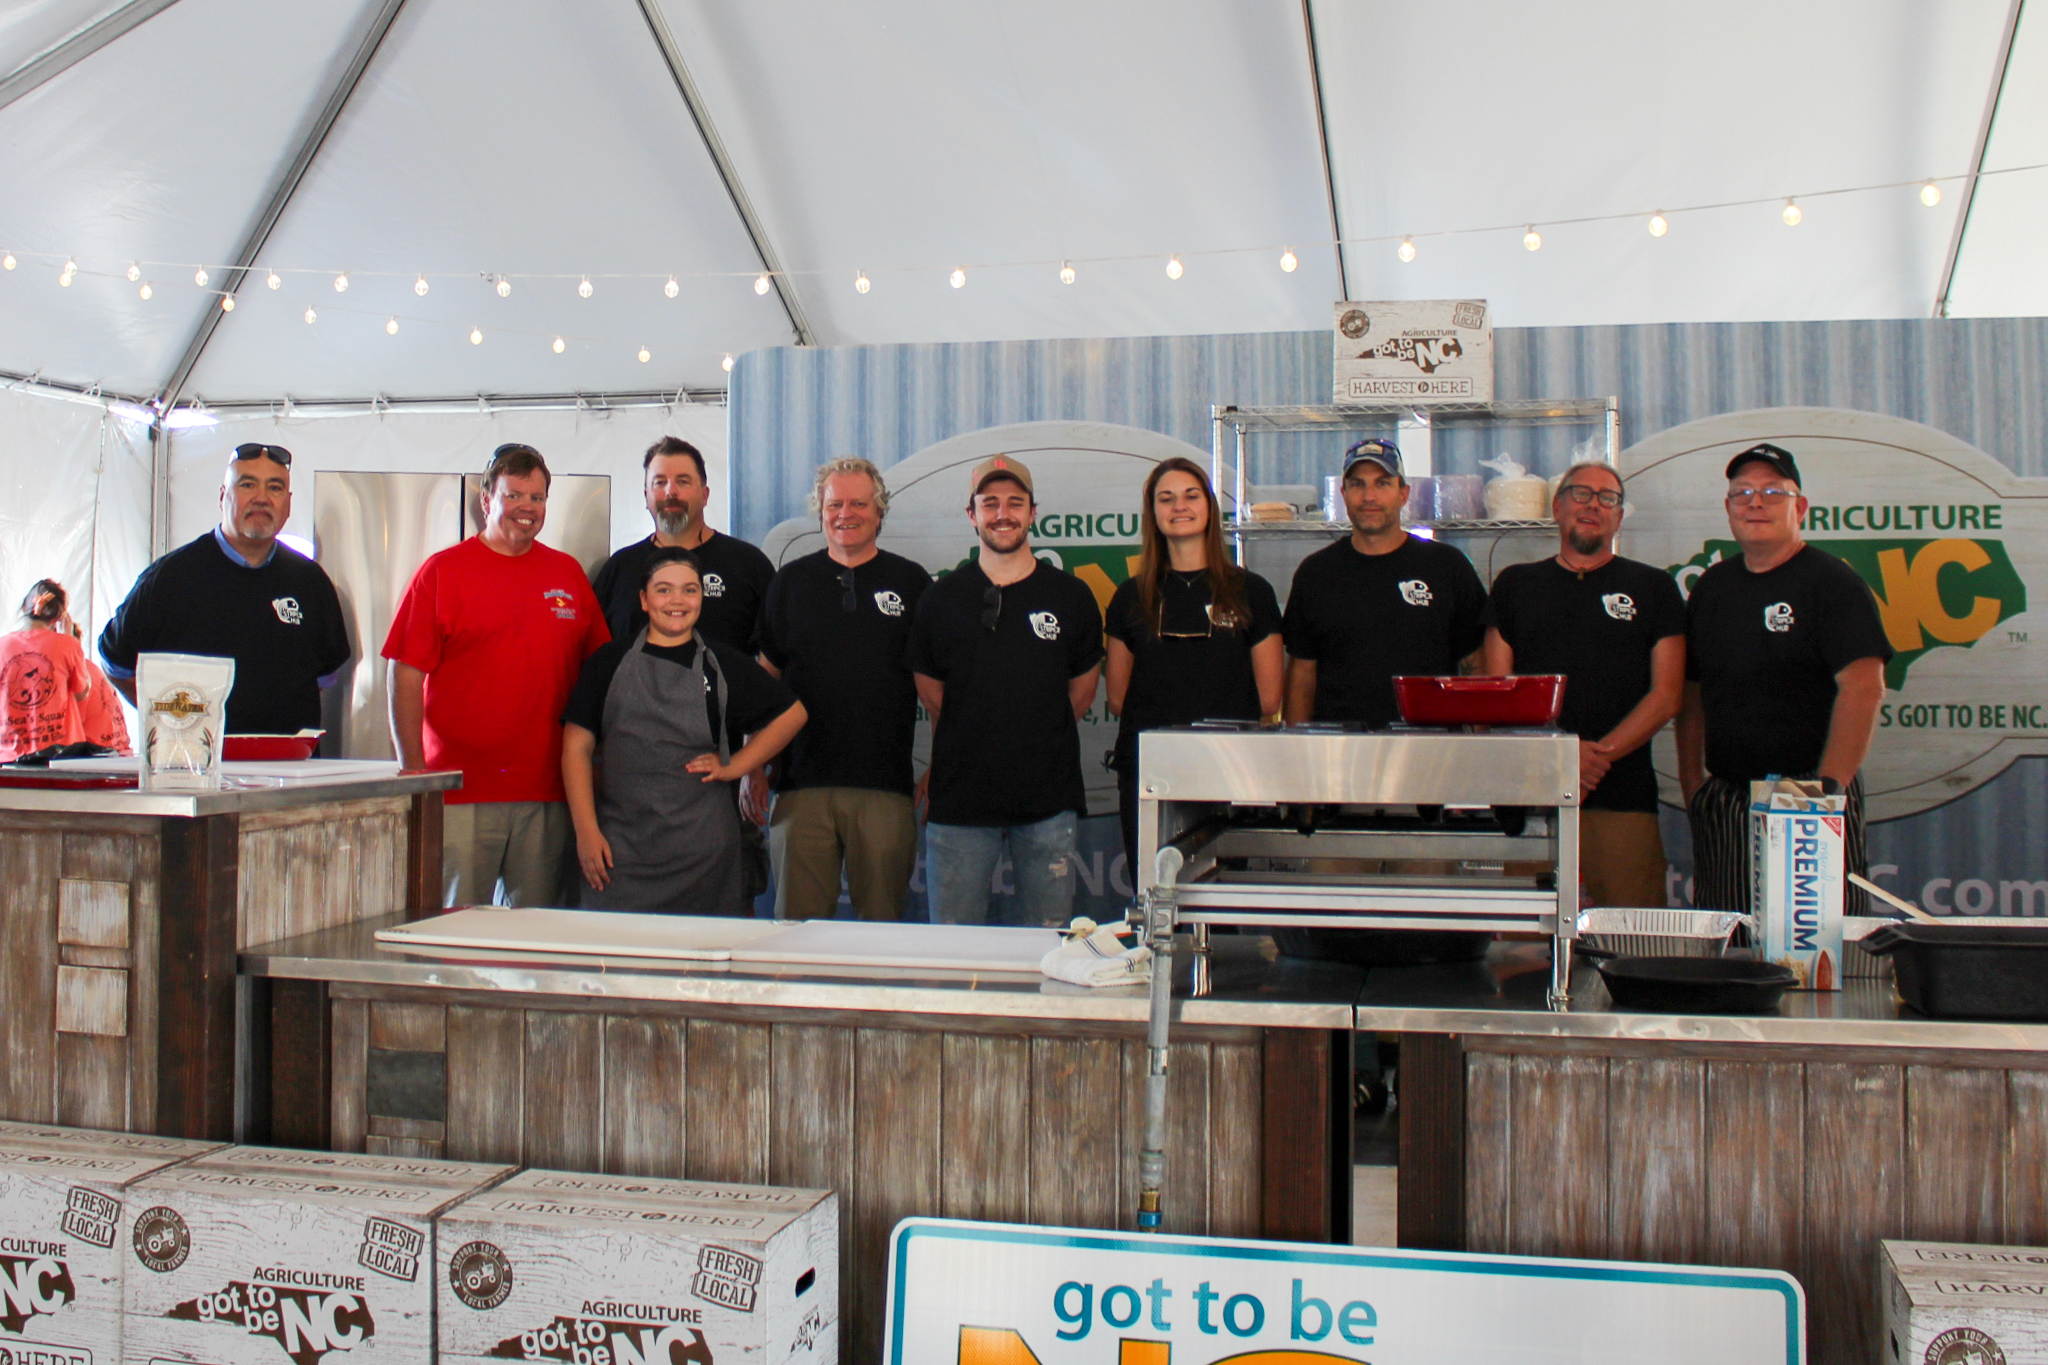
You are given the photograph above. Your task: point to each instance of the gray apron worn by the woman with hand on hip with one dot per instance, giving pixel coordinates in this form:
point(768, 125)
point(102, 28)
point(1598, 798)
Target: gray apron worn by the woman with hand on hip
point(675, 836)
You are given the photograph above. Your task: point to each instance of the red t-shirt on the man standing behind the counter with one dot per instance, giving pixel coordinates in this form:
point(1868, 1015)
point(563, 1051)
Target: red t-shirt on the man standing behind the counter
point(501, 640)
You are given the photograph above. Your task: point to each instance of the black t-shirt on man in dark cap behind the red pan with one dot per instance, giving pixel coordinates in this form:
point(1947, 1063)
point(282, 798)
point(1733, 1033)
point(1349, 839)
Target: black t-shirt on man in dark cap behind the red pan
point(1369, 619)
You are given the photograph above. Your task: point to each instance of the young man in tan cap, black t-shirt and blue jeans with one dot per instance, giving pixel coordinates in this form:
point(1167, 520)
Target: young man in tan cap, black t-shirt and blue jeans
point(1007, 652)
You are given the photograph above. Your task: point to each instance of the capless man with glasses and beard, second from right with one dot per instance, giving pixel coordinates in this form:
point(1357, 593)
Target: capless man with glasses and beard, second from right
point(1617, 631)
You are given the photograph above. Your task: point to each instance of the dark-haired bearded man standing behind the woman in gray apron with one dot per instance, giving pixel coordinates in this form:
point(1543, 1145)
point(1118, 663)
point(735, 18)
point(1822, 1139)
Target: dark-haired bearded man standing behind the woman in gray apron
point(736, 574)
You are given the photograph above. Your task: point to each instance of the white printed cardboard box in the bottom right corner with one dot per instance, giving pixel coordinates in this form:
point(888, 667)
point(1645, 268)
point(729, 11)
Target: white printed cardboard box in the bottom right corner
point(1959, 1305)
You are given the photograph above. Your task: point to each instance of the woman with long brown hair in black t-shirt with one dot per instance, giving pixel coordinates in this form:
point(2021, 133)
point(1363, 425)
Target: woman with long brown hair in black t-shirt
point(1193, 637)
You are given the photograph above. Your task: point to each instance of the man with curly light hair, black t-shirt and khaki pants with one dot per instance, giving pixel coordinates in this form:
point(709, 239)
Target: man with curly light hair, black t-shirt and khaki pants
point(835, 627)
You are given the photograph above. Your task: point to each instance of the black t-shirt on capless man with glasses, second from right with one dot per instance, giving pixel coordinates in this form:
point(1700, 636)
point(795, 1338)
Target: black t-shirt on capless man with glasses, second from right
point(1596, 629)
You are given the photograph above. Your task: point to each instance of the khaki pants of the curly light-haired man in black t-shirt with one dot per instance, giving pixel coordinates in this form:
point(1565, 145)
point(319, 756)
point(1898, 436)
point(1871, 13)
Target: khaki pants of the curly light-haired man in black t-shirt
point(814, 832)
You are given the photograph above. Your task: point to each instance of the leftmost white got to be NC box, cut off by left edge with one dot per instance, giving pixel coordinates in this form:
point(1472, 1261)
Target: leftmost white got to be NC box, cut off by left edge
point(62, 1192)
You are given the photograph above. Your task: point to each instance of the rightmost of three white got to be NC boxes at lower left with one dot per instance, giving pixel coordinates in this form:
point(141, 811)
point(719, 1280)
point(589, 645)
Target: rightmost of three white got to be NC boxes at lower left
point(601, 1270)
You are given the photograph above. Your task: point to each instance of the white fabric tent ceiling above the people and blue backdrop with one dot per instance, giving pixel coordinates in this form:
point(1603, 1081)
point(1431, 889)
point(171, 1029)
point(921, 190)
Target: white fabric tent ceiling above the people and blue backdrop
point(904, 138)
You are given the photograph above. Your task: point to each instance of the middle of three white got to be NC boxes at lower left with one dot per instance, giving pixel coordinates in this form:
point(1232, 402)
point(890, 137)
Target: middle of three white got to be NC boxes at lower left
point(280, 1258)
